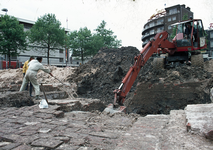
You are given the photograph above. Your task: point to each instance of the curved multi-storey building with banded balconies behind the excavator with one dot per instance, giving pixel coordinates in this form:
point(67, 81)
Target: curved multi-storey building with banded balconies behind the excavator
point(162, 20)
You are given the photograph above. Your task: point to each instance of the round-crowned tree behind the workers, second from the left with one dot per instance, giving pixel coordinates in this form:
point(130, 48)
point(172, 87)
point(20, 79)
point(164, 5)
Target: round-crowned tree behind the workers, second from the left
point(47, 33)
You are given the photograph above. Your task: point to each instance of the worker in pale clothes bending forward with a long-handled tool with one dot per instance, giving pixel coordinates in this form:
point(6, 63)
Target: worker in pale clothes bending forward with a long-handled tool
point(31, 75)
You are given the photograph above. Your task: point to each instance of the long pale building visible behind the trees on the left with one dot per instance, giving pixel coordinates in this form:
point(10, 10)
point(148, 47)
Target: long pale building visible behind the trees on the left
point(60, 57)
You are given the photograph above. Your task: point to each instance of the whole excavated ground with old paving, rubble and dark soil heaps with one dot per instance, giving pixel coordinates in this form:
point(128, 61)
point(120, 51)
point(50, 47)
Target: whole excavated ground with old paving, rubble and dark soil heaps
point(165, 108)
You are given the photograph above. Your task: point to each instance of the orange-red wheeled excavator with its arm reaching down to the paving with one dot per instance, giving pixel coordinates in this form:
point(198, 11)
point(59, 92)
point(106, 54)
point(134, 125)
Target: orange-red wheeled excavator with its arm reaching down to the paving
point(184, 48)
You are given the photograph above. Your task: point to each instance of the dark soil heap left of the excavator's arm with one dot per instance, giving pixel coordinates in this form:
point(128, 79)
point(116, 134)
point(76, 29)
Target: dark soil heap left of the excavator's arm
point(99, 77)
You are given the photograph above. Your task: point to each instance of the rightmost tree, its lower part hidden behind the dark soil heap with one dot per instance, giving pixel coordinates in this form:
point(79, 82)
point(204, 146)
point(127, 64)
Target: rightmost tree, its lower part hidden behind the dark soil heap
point(109, 40)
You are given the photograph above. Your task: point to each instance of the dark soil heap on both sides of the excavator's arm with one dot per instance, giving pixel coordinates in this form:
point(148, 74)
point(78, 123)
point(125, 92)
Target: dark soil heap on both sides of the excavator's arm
point(164, 89)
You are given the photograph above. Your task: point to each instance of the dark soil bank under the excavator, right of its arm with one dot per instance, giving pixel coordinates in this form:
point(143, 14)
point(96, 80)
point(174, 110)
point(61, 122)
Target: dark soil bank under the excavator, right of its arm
point(158, 92)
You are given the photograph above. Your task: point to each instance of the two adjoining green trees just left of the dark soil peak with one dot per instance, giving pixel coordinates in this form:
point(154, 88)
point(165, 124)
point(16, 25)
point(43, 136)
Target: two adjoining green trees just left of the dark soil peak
point(85, 44)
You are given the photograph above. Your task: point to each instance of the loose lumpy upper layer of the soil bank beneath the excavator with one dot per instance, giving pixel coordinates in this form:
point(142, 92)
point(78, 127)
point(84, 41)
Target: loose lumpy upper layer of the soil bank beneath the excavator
point(180, 74)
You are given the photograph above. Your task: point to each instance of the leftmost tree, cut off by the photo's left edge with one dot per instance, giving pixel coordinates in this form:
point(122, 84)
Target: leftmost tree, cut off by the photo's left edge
point(12, 37)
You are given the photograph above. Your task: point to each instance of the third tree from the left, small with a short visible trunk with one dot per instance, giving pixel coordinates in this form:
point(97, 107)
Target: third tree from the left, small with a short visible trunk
point(80, 42)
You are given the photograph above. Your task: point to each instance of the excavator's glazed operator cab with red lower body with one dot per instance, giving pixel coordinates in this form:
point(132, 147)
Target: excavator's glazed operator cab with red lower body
point(190, 35)
